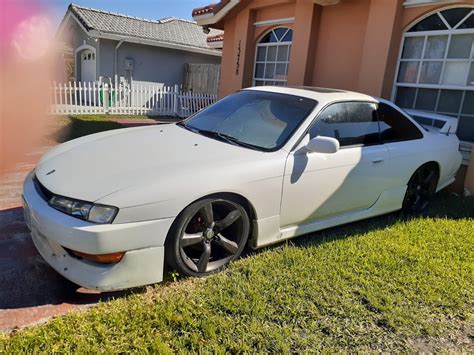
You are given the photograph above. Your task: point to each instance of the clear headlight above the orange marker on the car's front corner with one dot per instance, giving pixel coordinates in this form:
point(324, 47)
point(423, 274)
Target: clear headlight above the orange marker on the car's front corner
point(84, 210)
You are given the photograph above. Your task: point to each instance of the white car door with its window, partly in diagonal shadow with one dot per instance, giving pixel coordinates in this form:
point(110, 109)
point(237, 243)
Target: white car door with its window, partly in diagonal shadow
point(317, 186)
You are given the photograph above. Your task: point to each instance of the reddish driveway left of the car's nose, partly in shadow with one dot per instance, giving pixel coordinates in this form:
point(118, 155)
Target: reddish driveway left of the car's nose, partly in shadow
point(31, 291)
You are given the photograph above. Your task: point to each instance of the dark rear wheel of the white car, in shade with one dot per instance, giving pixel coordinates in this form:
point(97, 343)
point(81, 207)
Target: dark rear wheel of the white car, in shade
point(420, 189)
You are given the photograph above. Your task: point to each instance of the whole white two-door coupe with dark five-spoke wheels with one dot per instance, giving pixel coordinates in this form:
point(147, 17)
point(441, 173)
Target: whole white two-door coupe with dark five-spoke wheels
point(109, 210)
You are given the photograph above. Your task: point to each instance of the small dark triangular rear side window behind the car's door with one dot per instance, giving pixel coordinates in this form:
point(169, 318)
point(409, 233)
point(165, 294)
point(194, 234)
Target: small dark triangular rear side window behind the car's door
point(394, 126)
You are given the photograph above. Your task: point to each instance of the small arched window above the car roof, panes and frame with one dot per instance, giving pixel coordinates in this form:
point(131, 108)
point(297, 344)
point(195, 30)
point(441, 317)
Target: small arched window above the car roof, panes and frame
point(273, 58)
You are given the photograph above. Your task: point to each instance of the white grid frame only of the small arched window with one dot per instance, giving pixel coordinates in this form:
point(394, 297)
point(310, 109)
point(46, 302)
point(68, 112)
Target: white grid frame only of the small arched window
point(284, 82)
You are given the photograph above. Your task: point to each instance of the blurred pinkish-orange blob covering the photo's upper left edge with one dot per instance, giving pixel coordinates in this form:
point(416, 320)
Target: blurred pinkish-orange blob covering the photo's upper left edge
point(27, 60)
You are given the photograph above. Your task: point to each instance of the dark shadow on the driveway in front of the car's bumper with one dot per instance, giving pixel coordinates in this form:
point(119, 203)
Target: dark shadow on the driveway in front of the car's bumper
point(27, 280)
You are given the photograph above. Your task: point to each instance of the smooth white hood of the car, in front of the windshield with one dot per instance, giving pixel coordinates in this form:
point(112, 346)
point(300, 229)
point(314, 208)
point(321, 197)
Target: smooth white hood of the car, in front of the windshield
point(99, 165)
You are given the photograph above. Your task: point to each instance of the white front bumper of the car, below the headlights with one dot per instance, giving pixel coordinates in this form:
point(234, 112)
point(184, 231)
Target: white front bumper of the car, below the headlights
point(53, 231)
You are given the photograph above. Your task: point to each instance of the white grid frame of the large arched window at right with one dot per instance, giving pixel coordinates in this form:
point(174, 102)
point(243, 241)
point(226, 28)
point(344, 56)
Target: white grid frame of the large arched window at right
point(450, 31)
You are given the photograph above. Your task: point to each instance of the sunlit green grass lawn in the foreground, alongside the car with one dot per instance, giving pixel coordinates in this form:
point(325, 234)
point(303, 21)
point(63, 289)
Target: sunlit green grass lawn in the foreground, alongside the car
point(388, 283)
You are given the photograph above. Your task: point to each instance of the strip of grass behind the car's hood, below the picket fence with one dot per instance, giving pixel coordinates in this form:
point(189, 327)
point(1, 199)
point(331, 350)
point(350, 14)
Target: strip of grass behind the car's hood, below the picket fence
point(70, 127)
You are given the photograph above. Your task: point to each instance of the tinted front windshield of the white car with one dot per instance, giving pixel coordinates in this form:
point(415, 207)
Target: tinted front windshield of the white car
point(253, 119)
